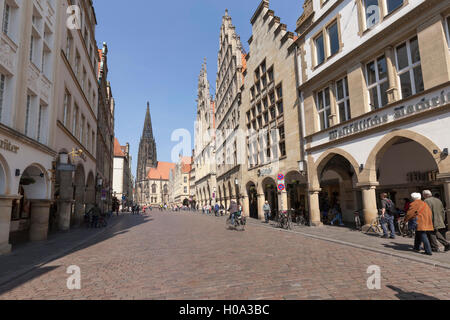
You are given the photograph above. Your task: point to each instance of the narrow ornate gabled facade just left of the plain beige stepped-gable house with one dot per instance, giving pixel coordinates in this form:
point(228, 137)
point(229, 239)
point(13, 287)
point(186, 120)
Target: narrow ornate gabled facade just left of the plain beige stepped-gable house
point(228, 98)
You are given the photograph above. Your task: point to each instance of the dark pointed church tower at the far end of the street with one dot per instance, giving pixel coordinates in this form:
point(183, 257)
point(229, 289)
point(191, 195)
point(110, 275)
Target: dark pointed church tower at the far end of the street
point(147, 156)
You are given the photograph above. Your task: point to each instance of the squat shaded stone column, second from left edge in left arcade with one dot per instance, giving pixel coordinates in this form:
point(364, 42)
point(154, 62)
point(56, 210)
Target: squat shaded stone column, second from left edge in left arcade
point(40, 212)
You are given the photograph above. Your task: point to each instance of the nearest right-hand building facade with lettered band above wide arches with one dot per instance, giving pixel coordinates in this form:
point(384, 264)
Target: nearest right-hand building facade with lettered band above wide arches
point(374, 85)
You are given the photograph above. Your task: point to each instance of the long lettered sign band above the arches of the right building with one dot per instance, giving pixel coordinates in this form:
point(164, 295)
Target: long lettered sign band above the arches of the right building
point(416, 106)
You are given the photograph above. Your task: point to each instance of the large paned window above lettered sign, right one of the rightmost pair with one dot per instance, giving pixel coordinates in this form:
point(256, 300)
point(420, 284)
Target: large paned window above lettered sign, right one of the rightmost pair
point(409, 68)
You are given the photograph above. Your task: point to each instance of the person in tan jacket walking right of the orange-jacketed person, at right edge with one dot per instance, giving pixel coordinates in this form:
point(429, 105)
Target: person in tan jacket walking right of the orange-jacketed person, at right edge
point(438, 216)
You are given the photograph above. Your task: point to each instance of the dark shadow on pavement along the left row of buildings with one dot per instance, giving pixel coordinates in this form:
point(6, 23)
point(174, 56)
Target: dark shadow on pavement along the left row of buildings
point(121, 227)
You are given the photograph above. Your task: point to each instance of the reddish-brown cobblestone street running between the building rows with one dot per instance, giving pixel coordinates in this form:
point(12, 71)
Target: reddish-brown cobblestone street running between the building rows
point(193, 256)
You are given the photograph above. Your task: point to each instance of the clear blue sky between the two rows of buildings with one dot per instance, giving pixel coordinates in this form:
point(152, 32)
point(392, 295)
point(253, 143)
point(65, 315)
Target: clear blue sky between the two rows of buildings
point(156, 49)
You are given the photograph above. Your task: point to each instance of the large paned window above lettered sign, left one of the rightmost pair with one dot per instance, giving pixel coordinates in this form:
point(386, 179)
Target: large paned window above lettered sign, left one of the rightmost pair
point(377, 82)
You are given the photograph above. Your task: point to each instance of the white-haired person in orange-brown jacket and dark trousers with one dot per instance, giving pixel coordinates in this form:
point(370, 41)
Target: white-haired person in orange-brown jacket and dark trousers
point(420, 210)
